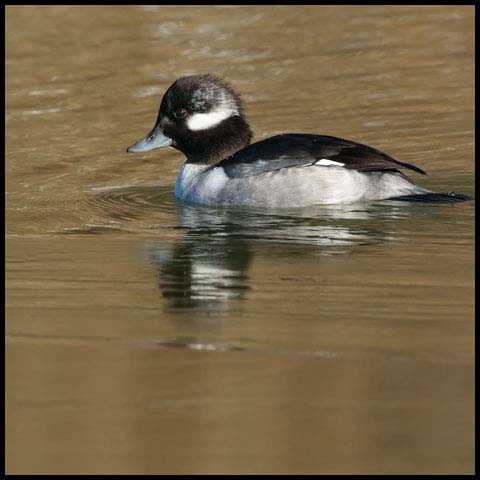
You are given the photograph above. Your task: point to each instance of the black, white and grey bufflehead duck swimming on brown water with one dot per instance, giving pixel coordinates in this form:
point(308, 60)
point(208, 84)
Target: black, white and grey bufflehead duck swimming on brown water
point(202, 116)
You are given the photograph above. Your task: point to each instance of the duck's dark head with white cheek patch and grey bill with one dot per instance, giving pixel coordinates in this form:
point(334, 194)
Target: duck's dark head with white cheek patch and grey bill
point(202, 116)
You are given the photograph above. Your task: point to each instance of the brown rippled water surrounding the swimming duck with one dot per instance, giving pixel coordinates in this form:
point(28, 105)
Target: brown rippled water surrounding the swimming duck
point(148, 336)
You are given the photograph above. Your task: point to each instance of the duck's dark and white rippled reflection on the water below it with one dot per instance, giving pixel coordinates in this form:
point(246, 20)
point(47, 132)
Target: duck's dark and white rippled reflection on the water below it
point(208, 268)
